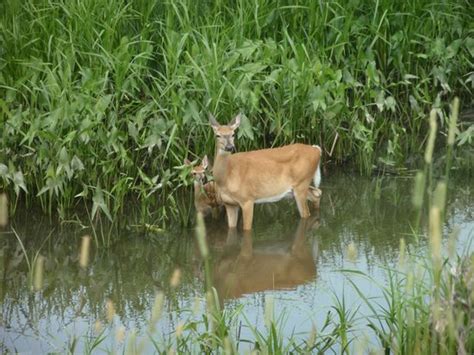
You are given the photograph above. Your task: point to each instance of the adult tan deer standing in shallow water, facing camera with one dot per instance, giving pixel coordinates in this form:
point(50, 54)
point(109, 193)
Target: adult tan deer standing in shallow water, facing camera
point(265, 175)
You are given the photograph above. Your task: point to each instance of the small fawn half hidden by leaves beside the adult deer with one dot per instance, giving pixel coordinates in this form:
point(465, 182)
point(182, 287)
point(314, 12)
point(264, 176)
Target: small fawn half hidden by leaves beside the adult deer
point(206, 199)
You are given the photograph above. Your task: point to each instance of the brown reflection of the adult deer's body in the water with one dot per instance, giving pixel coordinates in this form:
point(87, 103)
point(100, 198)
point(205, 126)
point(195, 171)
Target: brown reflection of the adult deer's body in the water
point(265, 266)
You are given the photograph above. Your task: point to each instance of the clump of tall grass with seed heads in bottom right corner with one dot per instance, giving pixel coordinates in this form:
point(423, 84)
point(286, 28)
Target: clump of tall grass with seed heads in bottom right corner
point(429, 304)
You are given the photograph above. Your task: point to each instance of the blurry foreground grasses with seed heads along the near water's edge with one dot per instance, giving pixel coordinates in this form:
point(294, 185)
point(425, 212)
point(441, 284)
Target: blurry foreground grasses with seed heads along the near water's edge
point(427, 304)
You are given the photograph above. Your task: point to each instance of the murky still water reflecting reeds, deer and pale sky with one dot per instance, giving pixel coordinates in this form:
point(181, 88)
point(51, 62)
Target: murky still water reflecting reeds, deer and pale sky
point(296, 265)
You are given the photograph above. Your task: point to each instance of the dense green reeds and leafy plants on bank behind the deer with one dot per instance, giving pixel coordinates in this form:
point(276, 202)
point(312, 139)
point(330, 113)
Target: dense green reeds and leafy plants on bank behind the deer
point(100, 101)
